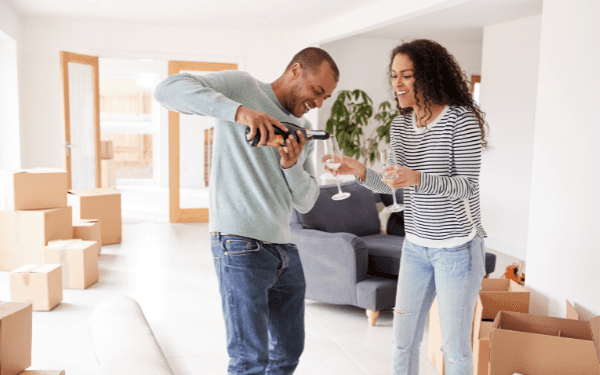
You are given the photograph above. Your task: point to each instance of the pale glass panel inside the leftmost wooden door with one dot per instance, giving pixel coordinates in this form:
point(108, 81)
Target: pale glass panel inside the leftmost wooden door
point(81, 110)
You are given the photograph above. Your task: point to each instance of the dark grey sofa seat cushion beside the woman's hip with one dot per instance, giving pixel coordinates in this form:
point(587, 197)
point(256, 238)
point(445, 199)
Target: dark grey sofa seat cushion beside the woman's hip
point(384, 254)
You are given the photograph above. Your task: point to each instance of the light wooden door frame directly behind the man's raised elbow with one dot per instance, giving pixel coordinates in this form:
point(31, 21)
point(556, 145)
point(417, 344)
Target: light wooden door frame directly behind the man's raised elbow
point(176, 213)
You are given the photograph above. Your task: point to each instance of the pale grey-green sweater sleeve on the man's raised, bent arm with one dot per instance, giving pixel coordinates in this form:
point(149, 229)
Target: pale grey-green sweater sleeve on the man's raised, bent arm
point(198, 95)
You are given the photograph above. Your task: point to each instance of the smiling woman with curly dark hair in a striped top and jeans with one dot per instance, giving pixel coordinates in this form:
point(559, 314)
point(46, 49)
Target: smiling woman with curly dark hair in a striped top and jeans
point(436, 144)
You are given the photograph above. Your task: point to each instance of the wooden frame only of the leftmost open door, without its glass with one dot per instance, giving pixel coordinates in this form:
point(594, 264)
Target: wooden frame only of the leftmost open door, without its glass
point(65, 59)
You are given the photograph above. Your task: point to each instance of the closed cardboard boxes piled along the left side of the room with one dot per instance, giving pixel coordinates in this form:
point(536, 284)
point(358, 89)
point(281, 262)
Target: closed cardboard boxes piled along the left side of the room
point(50, 239)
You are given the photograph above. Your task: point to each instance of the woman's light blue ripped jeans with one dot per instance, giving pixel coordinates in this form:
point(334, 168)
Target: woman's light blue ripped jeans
point(455, 274)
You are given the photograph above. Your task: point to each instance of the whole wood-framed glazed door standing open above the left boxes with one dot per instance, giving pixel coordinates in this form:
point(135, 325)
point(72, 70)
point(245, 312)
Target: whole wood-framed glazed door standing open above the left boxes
point(81, 114)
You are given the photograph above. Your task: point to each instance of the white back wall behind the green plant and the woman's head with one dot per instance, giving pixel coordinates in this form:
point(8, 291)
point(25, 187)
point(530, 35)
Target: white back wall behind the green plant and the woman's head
point(364, 64)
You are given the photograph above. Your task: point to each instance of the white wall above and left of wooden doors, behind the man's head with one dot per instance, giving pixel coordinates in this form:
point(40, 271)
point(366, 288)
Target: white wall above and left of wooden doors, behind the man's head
point(263, 55)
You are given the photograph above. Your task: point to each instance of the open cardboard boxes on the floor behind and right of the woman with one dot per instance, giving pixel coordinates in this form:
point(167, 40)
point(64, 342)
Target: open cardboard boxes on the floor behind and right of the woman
point(508, 340)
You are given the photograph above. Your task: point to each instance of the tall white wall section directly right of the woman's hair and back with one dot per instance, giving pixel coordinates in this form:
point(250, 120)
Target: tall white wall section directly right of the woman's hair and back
point(509, 75)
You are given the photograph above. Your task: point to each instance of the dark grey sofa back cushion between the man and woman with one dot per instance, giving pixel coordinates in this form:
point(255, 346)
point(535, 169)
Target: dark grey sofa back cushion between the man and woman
point(357, 214)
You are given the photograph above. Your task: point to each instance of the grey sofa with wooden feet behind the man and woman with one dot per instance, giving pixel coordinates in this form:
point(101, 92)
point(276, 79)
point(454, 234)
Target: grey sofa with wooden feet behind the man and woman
point(346, 259)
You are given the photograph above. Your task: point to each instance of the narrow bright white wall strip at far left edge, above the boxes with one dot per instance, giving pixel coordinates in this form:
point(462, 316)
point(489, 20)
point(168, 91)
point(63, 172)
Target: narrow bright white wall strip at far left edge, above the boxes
point(10, 132)
